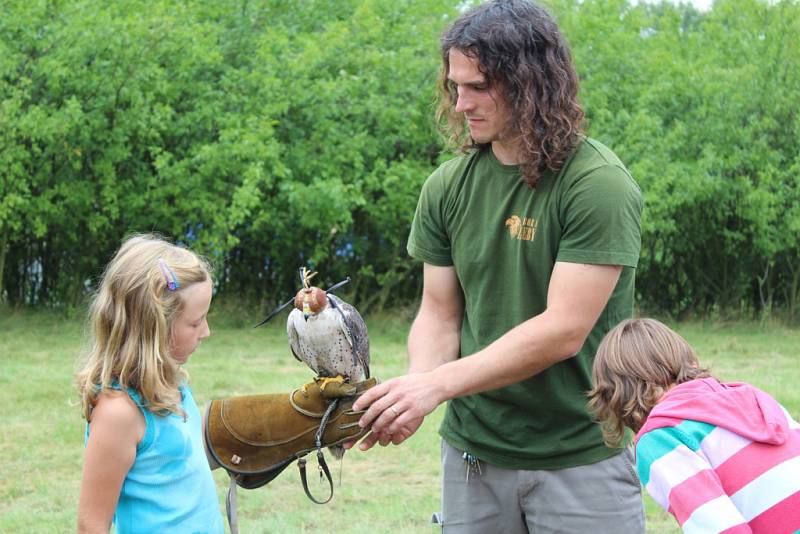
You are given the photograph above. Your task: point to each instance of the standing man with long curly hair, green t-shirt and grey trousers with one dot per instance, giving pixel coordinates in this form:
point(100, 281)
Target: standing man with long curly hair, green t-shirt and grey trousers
point(530, 240)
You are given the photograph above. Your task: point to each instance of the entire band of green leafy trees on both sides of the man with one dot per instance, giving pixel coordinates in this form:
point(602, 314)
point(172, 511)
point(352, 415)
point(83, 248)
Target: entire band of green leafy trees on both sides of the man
point(270, 135)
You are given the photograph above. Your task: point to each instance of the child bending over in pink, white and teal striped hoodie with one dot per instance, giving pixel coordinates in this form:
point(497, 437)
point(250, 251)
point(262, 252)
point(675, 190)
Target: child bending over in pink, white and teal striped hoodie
point(720, 457)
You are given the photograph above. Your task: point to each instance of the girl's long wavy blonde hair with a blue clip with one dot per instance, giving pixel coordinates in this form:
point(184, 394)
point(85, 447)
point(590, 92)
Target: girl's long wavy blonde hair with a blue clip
point(131, 318)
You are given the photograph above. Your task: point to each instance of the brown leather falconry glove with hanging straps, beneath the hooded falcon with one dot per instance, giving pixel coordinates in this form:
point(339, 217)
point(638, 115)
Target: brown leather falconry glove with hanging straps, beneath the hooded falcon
point(254, 438)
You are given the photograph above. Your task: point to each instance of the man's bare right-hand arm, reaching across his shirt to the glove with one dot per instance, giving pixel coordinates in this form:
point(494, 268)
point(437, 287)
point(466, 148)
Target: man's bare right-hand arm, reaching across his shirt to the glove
point(576, 296)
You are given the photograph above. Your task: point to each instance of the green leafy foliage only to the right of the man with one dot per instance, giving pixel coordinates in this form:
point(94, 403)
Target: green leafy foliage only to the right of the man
point(702, 108)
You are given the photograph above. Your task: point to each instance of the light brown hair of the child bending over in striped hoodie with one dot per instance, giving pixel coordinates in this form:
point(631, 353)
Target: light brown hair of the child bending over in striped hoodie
point(636, 363)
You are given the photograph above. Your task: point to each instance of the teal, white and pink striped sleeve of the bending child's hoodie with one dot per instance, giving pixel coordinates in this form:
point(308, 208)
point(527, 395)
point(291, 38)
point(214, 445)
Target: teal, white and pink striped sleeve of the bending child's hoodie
point(680, 479)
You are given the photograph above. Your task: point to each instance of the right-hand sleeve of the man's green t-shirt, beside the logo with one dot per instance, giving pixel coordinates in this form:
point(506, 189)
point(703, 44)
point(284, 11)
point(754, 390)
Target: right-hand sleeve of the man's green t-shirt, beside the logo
point(601, 217)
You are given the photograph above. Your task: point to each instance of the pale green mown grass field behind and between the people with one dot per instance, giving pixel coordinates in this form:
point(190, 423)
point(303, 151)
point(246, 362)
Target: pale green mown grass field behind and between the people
point(391, 490)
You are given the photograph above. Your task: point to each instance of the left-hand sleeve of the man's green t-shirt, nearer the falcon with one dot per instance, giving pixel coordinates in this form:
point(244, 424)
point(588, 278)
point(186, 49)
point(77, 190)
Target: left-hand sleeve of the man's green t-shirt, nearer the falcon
point(429, 240)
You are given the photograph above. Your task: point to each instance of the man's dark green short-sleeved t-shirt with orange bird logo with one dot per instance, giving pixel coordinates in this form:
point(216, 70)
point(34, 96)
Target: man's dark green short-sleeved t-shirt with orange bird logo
point(503, 238)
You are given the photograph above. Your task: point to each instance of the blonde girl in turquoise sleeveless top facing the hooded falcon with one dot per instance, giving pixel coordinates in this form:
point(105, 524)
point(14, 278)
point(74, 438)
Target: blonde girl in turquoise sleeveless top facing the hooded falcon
point(145, 467)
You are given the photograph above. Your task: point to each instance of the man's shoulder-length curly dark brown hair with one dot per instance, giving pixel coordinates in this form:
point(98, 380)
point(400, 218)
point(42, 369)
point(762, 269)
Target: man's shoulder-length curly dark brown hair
point(521, 52)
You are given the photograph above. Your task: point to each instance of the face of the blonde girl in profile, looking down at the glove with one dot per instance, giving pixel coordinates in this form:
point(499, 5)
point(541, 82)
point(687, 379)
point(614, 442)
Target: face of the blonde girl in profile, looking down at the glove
point(191, 326)
